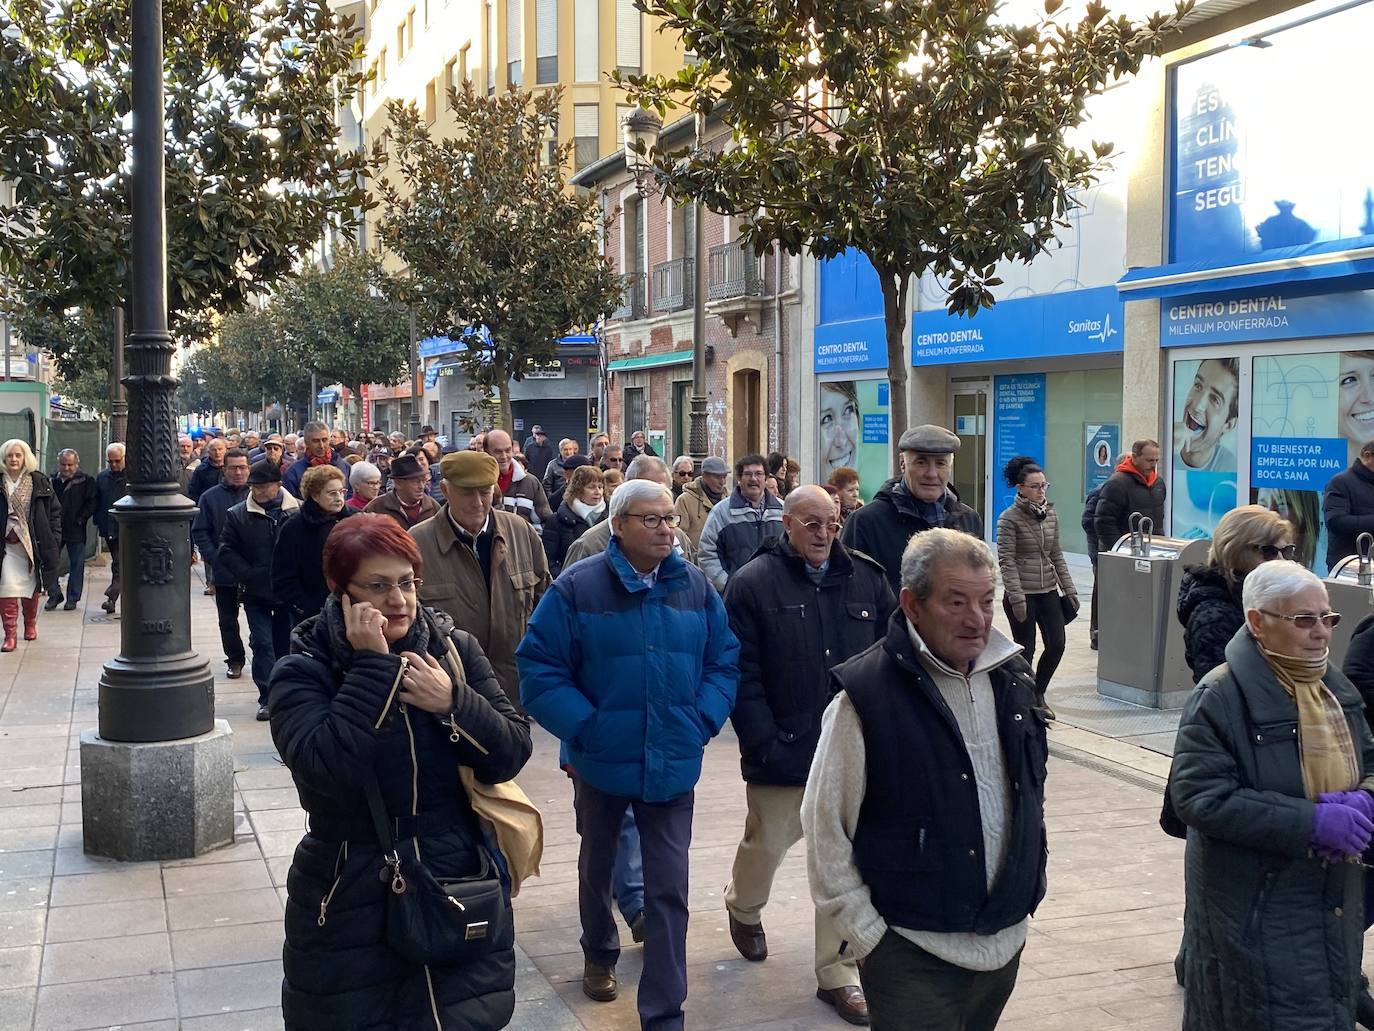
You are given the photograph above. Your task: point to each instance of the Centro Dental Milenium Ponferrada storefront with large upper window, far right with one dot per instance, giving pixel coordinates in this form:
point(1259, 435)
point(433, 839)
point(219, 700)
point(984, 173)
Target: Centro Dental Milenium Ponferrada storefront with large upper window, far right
point(1266, 300)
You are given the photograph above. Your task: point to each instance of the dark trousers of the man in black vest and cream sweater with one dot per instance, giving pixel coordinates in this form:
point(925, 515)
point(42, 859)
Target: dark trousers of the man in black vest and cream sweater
point(908, 988)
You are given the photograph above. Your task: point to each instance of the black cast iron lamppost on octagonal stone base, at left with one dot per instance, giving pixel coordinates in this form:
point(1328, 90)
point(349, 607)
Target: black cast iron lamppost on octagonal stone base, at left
point(157, 780)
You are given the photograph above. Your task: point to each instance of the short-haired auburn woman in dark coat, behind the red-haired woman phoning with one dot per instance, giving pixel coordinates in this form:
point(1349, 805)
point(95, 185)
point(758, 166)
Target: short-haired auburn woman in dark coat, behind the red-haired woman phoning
point(299, 556)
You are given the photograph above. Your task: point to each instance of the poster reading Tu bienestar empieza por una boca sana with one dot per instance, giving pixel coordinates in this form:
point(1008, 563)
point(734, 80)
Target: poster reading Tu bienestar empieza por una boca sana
point(1313, 413)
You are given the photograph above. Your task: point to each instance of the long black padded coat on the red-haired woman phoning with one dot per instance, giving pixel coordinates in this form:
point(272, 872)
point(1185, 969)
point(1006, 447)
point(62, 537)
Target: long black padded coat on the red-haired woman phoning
point(328, 702)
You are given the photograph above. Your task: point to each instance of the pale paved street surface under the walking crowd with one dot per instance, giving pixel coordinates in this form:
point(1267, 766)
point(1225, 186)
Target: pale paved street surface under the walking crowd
point(196, 945)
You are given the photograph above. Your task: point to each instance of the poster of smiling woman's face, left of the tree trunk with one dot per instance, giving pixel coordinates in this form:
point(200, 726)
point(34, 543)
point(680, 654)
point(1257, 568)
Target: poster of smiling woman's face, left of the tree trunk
point(854, 431)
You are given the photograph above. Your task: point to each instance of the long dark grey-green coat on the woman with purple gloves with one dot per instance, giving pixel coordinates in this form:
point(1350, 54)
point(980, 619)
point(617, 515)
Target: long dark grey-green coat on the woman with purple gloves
point(1273, 935)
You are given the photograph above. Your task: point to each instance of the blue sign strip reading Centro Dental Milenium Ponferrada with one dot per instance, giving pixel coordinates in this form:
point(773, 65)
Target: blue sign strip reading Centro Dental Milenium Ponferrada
point(1263, 314)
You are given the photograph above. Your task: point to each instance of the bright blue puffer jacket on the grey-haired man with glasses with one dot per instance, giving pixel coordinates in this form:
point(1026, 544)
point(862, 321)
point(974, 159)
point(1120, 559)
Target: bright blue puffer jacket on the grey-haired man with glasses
point(634, 680)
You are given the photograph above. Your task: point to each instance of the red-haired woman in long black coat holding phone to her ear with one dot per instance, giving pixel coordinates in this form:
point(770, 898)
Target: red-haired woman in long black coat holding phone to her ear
point(380, 692)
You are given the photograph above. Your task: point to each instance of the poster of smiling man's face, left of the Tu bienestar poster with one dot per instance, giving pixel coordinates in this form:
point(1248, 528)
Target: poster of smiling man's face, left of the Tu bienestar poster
point(1203, 468)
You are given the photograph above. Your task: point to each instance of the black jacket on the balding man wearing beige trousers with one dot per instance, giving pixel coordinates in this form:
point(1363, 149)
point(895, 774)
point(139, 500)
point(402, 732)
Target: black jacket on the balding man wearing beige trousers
point(792, 633)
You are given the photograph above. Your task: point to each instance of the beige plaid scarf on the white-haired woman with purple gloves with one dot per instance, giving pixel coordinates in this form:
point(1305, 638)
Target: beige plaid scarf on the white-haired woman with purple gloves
point(1325, 747)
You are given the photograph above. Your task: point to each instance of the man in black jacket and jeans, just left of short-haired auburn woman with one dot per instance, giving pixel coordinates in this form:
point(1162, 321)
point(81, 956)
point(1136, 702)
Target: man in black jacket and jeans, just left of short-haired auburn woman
point(247, 549)
